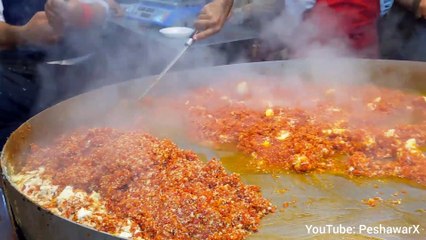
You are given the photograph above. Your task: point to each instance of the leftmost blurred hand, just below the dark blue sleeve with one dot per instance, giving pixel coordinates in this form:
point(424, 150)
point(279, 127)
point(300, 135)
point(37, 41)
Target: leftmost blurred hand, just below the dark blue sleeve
point(38, 31)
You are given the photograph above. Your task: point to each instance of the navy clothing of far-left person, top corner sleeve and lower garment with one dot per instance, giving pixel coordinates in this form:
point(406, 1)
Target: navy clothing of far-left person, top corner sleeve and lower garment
point(19, 87)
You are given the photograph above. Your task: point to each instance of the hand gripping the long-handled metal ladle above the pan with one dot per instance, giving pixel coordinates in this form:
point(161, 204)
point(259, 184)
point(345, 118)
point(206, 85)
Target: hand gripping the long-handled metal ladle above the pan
point(212, 18)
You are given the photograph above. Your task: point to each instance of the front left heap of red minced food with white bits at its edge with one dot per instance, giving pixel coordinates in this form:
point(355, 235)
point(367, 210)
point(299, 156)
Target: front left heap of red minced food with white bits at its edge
point(131, 184)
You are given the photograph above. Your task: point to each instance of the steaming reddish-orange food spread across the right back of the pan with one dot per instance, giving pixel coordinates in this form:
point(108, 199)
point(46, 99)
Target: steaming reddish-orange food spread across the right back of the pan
point(350, 130)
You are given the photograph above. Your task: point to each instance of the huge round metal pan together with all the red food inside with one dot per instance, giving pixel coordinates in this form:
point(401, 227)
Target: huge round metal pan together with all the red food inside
point(322, 154)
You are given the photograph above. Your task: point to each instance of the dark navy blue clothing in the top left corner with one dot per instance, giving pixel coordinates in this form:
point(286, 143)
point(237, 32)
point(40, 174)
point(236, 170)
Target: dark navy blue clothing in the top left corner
point(19, 12)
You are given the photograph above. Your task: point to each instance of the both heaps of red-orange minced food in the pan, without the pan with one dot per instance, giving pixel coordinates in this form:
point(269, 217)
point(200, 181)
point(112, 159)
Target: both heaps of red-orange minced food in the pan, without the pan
point(131, 184)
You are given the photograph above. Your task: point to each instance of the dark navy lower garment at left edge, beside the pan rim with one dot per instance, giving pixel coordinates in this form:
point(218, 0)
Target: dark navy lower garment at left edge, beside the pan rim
point(27, 86)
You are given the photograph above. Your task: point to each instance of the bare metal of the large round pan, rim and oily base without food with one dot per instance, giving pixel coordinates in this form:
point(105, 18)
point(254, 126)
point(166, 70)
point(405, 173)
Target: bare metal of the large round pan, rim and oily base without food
point(321, 199)
